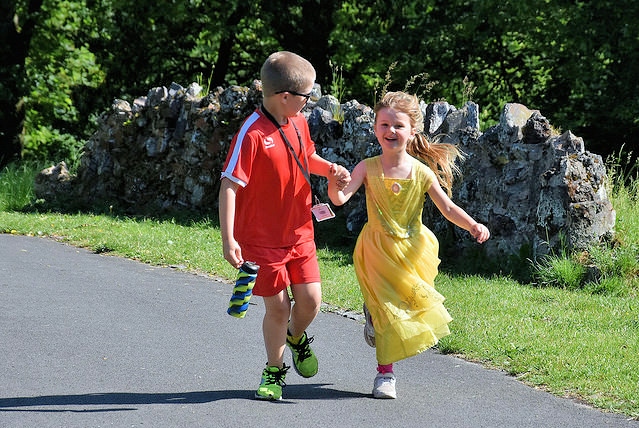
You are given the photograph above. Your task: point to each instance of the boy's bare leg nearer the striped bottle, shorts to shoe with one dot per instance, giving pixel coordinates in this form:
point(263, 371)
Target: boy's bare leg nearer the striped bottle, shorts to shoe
point(278, 311)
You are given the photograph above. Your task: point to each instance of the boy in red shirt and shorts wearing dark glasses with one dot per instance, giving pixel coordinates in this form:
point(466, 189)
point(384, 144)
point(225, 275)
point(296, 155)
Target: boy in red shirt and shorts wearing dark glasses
point(265, 214)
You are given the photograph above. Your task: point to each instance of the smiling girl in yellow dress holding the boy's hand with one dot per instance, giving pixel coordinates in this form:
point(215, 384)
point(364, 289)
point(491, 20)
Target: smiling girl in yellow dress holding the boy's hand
point(396, 256)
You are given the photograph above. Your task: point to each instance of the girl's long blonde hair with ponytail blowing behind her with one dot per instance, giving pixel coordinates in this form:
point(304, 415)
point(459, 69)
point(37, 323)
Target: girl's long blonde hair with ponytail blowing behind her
point(440, 157)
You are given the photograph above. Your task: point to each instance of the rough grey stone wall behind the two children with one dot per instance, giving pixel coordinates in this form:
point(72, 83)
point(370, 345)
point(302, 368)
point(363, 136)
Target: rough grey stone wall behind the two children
point(535, 190)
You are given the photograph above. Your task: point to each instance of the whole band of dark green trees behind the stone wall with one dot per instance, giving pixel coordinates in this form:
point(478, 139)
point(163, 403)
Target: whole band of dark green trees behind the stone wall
point(64, 61)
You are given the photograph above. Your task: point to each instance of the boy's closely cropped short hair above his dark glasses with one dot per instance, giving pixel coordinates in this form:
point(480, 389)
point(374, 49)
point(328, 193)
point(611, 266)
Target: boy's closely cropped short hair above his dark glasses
point(286, 71)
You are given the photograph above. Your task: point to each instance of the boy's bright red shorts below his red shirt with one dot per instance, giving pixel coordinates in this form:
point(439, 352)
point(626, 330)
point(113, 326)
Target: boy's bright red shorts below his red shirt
point(281, 267)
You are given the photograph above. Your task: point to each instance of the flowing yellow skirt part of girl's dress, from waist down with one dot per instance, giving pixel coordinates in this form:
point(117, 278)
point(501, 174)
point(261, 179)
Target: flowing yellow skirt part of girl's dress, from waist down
point(396, 277)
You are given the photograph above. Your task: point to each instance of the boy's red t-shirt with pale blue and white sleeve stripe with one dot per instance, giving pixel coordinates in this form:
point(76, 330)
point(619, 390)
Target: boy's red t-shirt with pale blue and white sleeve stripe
point(273, 204)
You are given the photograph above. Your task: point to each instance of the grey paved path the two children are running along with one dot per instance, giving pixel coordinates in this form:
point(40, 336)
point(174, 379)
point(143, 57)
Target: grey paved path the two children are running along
point(91, 340)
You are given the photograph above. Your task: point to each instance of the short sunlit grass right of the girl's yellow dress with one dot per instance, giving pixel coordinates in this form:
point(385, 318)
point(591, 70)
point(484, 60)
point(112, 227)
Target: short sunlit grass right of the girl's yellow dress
point(572, 344)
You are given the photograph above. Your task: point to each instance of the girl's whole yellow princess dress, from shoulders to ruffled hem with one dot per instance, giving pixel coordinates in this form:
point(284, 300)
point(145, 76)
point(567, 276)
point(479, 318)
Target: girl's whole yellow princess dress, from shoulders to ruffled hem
point(396, 259)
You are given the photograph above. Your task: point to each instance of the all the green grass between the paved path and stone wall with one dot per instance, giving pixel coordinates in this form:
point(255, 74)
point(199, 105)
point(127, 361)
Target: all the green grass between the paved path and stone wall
point(574, 338)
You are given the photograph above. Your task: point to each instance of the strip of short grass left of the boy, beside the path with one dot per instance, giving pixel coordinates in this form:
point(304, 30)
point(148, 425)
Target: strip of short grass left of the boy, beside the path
point(193, 245)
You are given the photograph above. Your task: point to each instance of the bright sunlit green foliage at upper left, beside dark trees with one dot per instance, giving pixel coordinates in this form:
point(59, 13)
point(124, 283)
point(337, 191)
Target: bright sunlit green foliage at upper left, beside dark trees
point(58, 73)
